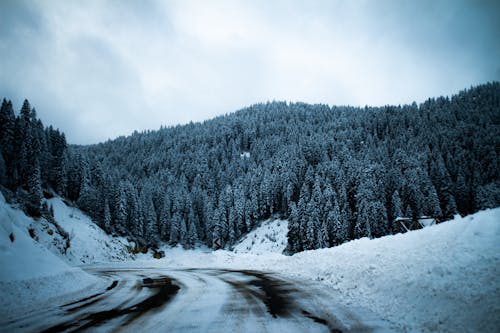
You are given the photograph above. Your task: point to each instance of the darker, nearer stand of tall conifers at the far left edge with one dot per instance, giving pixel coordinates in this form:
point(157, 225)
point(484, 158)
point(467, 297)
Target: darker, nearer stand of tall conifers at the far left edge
point(32, 157)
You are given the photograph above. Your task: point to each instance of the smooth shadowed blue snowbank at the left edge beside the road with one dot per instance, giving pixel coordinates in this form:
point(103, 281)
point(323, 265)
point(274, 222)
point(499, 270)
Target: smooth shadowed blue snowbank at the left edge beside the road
point(29, 272)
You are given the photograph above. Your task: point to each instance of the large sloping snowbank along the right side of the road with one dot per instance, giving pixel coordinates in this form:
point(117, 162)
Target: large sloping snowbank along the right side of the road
point(442, 278)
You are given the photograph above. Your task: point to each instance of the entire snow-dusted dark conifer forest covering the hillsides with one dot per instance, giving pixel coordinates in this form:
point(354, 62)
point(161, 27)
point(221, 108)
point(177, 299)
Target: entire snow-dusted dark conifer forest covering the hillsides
point(337, 173)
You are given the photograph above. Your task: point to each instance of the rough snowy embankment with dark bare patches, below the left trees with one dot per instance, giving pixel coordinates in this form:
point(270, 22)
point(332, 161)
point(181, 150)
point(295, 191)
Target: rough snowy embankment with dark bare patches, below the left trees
point(88, 242)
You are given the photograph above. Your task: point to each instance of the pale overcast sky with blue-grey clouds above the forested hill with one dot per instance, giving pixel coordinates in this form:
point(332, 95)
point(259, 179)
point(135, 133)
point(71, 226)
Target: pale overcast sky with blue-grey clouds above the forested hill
point(100, 69)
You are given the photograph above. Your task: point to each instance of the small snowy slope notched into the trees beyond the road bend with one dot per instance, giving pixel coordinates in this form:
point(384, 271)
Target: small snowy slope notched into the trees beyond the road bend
point(270, 236)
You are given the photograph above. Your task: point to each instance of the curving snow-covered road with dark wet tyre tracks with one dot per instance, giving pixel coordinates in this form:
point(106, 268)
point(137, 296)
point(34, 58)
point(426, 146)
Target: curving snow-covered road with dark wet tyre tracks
point(193, 300)
